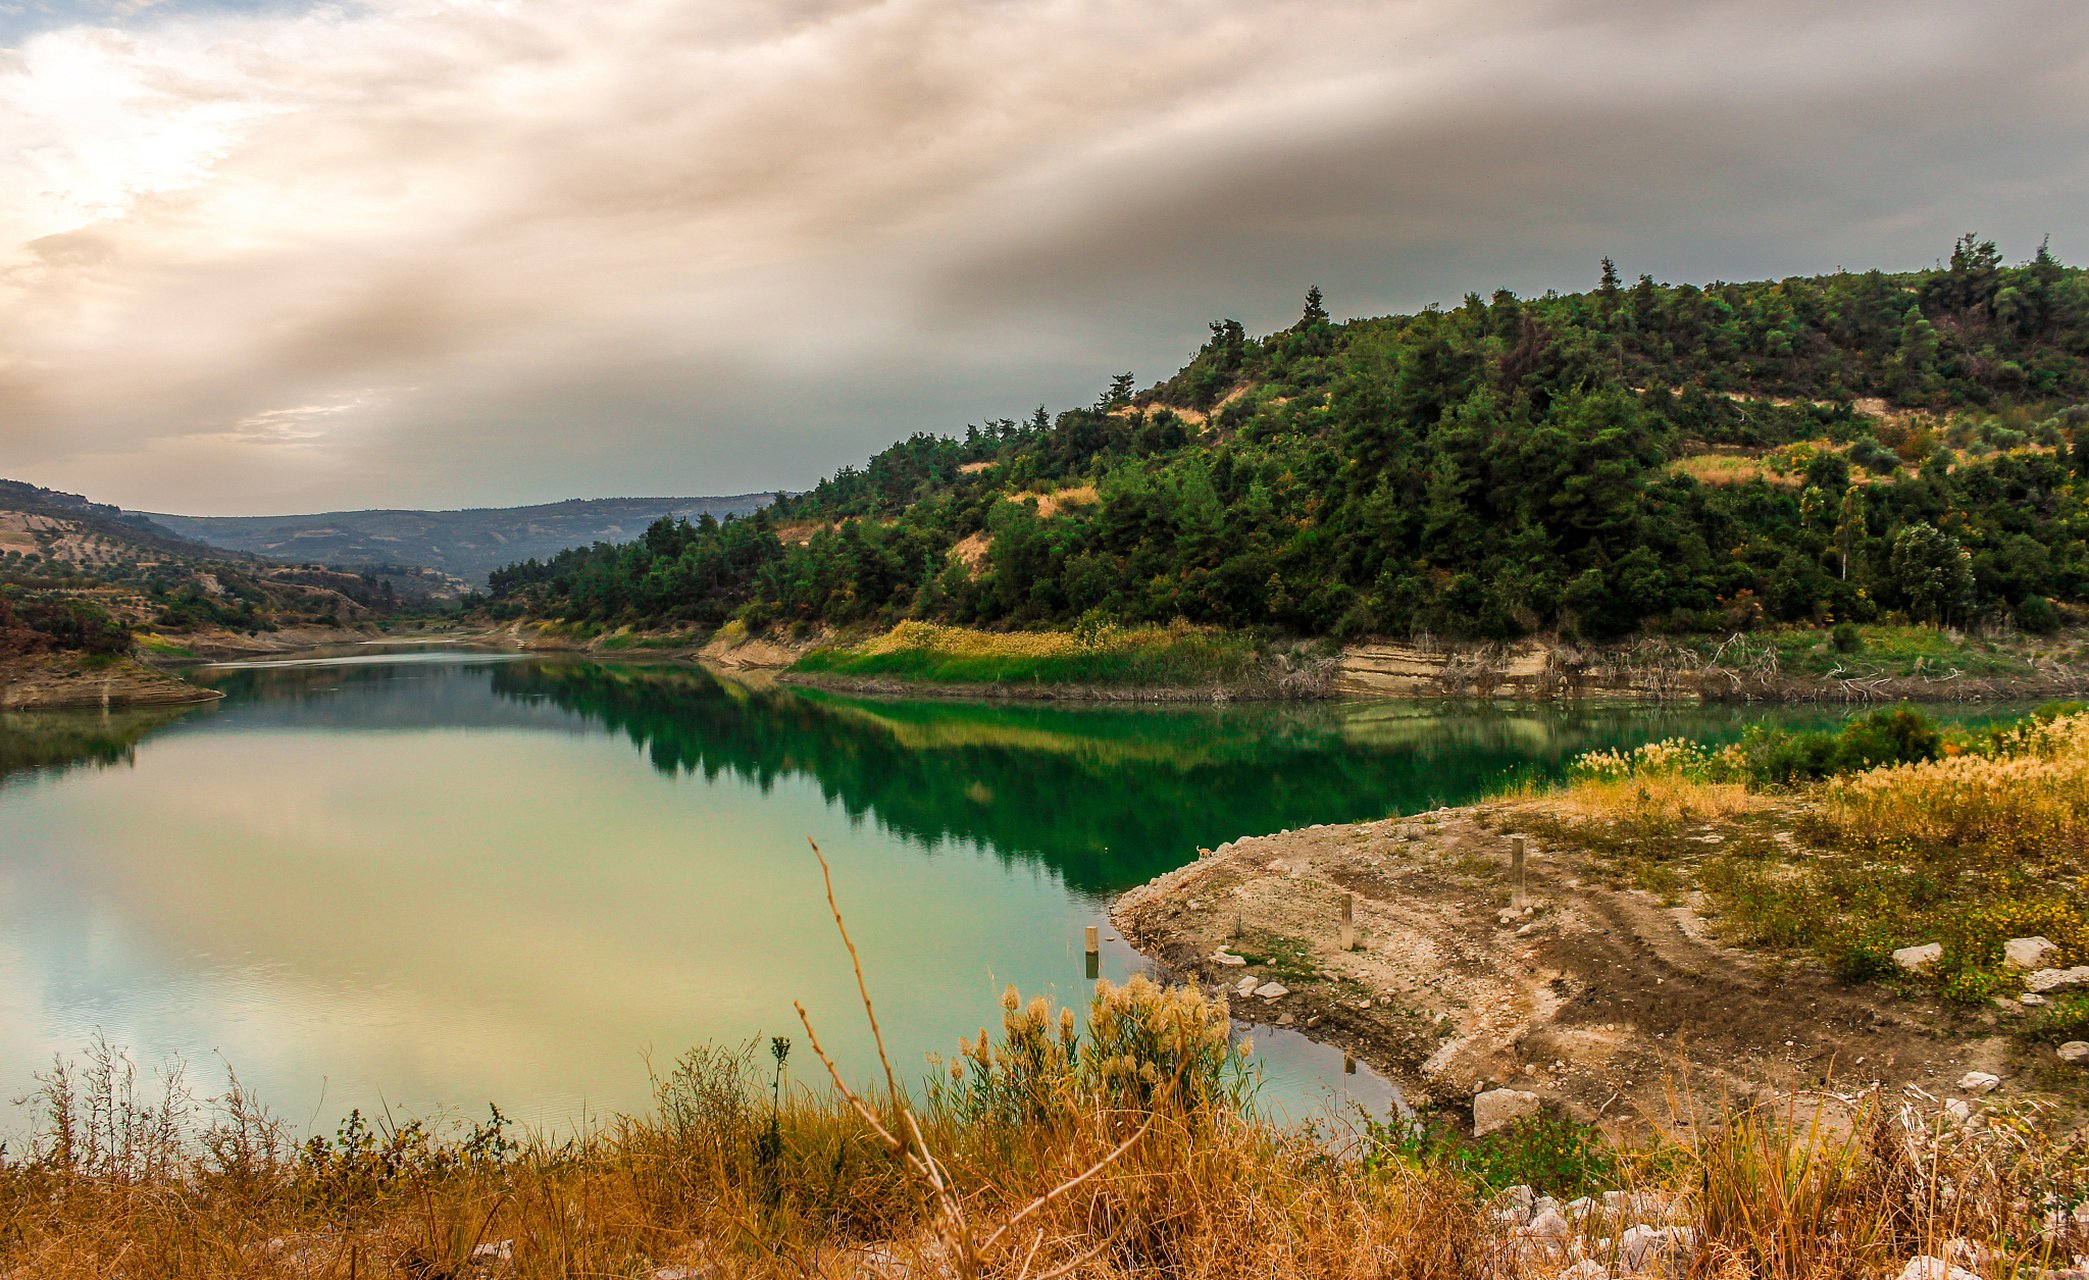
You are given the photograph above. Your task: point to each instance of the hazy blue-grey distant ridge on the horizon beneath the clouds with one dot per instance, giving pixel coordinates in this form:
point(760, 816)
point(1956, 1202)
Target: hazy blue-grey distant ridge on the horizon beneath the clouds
point(465, 544)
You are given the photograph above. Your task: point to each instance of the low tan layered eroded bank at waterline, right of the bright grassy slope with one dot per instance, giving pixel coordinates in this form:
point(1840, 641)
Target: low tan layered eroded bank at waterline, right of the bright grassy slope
point(1518, 671)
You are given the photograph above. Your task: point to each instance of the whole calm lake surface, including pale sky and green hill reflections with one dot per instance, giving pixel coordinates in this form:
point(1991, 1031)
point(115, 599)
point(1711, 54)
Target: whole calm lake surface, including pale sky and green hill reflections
point(433, 880)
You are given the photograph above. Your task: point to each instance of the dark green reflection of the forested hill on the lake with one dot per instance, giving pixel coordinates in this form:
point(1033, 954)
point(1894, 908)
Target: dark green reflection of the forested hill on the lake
point(1104, 797)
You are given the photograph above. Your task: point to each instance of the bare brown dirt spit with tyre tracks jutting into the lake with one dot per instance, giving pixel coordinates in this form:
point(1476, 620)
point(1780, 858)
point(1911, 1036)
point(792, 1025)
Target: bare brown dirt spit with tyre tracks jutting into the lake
point(1610, 1003)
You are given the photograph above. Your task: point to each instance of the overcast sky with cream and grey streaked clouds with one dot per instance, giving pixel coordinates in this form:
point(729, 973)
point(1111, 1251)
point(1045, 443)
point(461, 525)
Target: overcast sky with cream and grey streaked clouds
point(266, 258)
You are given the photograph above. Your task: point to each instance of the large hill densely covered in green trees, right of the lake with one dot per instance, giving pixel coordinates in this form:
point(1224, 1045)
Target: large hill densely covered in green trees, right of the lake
point(1639, 456)
